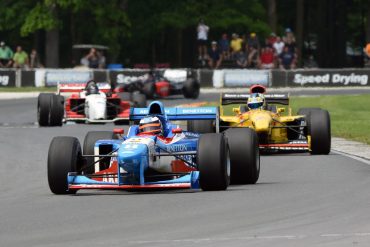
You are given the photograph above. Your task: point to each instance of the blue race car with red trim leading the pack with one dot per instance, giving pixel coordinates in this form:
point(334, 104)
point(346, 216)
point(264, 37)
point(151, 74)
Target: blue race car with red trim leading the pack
point(155, 154)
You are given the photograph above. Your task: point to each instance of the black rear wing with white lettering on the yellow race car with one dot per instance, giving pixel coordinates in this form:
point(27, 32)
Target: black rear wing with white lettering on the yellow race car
point(233, 98)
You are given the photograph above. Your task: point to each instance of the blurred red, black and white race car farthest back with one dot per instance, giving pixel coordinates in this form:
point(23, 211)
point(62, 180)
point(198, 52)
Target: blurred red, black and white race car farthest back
point(161, 84)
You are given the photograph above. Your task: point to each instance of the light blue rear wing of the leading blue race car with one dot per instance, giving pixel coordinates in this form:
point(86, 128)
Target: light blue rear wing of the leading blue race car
point(179, 113)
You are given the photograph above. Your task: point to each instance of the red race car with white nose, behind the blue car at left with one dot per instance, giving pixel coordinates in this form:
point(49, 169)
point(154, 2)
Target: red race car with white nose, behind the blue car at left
point(89, 102)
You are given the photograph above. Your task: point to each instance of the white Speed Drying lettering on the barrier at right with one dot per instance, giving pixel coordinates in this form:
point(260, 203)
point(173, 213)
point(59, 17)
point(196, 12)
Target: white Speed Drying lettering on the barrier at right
point(334, 78)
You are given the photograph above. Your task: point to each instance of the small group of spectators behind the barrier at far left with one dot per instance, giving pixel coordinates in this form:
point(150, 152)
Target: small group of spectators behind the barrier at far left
point(19, 58)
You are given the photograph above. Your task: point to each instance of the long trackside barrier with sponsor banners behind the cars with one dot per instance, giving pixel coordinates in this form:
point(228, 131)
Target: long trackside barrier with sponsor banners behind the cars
point(206, 77)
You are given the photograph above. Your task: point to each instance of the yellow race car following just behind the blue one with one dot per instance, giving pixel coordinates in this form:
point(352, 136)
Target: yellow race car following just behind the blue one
point(308, 130)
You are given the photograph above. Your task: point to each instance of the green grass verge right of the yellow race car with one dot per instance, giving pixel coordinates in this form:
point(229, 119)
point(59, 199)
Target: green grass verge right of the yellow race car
point(350, 114)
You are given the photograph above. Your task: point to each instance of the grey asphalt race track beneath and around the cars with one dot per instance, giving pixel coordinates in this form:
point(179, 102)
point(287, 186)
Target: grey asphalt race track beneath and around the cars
point(299, 200)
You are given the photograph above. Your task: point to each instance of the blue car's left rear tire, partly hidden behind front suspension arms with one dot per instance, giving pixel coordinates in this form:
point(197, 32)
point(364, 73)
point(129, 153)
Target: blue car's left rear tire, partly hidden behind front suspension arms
point(89, 145)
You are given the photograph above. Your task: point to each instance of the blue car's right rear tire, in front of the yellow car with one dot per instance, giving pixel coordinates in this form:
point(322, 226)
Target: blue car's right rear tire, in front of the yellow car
point(244, 155)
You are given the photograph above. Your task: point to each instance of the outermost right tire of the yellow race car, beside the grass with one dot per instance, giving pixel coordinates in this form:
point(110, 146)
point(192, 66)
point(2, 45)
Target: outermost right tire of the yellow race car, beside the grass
point(319, 129)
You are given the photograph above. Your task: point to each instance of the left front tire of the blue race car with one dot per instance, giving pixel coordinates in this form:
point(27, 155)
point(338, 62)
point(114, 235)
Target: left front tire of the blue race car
point(64, 156)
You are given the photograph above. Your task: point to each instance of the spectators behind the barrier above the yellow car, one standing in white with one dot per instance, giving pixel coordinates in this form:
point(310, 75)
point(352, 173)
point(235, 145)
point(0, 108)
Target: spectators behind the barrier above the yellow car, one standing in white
point(246, 51)
